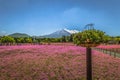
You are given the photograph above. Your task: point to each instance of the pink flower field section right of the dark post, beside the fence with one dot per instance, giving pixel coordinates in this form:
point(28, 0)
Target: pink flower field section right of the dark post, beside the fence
point(105, 67)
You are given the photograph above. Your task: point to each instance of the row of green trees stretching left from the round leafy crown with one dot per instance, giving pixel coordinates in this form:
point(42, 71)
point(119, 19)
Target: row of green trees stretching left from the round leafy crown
point(8, 40)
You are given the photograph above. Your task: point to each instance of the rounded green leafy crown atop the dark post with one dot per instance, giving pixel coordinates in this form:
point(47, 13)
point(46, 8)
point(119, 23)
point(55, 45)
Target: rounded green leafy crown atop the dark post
point(89, 36)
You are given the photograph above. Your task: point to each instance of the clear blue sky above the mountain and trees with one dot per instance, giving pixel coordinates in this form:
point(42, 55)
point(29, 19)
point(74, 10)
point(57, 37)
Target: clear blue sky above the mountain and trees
point(39, 17)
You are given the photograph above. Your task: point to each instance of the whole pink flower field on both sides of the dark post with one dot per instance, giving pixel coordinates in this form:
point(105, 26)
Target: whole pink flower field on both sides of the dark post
point(54, 62)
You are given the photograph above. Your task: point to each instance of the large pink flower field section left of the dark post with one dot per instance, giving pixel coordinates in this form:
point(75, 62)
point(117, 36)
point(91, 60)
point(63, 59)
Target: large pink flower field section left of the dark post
point(44, 62)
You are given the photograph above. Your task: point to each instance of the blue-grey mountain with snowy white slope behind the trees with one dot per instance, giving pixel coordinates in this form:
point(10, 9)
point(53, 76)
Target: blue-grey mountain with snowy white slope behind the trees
point(60, 33)
